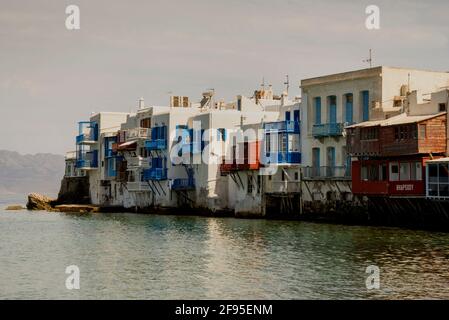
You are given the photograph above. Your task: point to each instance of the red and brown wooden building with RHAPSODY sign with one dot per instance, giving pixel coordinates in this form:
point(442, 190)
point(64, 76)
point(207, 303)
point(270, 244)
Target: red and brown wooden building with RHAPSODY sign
point(389, 156)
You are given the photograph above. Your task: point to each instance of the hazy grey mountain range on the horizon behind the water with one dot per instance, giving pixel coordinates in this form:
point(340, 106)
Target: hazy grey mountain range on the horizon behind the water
point(23, 174)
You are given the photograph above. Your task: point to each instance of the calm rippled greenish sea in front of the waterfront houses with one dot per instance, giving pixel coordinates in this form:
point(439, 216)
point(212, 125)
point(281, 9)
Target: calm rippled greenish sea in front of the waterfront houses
point(130, 256)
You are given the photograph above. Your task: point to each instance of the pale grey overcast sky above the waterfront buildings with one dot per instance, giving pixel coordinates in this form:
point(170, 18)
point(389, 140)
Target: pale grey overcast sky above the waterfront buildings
point(51, 77)
